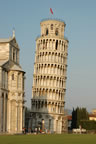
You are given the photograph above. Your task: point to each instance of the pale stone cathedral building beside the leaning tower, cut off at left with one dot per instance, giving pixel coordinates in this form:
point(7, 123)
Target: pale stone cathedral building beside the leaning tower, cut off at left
point(11, 87)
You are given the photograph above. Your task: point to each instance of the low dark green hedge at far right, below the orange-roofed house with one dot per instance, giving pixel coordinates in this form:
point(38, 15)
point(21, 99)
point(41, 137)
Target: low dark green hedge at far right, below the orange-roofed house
point(88, 125)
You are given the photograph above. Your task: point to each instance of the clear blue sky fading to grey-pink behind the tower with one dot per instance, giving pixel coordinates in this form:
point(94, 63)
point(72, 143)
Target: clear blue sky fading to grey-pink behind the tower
point(80, 19)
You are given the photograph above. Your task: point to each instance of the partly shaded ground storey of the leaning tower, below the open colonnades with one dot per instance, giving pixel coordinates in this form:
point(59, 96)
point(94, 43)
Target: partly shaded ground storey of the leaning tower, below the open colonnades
point(48, 123)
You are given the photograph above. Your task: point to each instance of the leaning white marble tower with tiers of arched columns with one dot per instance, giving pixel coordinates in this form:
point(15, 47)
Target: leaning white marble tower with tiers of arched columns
point(49, 78)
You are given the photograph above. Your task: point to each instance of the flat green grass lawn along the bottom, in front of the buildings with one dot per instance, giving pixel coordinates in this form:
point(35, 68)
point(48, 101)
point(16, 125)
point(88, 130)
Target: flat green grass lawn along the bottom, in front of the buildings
point(48, 139)
